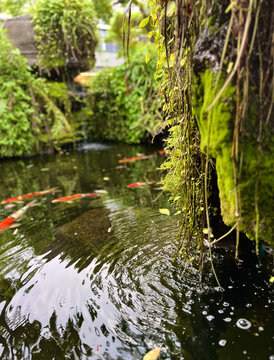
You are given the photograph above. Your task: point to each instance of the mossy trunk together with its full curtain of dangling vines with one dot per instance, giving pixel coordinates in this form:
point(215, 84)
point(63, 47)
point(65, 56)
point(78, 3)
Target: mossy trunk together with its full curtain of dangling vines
point(215, 61)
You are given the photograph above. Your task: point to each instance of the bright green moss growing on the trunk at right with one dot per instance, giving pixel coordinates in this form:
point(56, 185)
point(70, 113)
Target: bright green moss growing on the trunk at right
point(256, 180)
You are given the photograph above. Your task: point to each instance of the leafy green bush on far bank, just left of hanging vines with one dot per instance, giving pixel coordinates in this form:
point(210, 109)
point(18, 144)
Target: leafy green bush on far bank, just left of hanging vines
point(125, 108)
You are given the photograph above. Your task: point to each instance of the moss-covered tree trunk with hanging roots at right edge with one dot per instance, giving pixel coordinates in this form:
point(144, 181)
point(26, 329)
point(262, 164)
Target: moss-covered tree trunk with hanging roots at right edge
point(232, 100)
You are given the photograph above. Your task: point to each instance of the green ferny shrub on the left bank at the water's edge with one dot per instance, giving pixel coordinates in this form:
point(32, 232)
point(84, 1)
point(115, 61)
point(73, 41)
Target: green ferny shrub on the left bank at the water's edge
point(30, 119)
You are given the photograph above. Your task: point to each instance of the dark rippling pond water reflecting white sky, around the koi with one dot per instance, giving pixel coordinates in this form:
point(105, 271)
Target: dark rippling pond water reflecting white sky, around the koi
point(95, 278)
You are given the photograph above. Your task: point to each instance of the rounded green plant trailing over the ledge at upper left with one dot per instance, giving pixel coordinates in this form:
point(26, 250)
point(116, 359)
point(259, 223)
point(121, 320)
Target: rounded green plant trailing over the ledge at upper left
point(64, 31)
